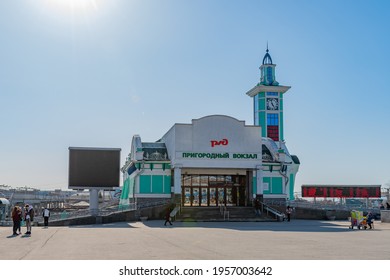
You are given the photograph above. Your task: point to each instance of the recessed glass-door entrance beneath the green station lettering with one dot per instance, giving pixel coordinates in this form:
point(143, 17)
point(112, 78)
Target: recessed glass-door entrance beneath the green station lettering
point(214, 190)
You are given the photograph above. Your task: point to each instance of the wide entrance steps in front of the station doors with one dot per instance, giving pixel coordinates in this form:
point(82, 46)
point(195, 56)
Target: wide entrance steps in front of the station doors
point(210, 214)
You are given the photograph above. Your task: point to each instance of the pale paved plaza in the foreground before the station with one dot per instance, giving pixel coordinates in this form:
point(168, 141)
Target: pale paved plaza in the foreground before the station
point(150, 240)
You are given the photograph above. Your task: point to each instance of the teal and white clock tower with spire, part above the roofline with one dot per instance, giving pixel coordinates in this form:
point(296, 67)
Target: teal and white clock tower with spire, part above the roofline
point(268, 101)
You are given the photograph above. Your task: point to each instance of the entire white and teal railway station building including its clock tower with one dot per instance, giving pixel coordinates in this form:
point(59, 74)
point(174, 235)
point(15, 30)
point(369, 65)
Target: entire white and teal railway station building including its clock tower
point(218, 160)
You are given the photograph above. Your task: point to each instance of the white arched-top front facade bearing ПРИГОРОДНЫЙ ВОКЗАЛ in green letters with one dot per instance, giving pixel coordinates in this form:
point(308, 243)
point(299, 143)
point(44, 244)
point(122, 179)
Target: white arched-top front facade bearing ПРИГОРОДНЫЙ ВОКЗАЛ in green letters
point(215, 144)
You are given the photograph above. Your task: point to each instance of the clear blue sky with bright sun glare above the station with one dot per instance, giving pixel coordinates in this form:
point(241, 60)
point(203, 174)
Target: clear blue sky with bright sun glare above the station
point(94, 73)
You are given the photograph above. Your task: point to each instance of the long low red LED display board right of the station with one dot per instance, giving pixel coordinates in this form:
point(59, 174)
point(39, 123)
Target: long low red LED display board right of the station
point(341, 191)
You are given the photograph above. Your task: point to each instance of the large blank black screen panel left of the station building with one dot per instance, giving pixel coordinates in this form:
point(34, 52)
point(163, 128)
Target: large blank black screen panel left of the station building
point(94, 167)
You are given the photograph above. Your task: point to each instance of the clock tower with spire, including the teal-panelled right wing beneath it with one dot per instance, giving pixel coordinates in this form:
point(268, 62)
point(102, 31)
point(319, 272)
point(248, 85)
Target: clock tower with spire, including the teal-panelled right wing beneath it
point(279, 167)
